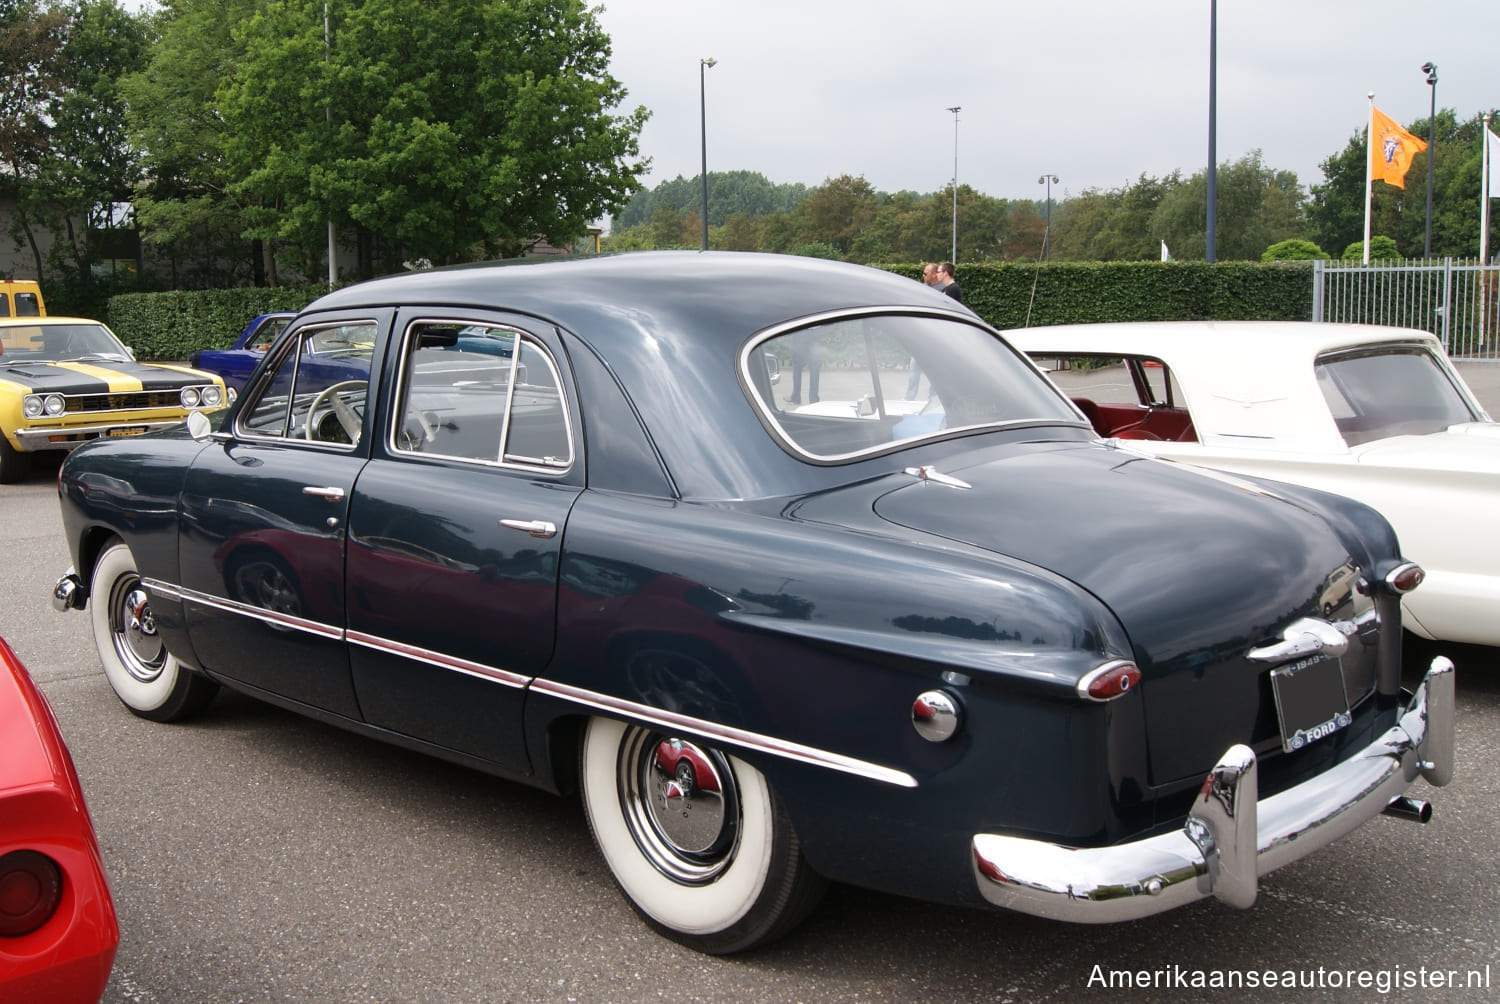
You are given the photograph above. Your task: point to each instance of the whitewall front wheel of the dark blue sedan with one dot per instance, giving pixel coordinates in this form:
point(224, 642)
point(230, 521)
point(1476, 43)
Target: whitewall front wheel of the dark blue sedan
point(146, 678)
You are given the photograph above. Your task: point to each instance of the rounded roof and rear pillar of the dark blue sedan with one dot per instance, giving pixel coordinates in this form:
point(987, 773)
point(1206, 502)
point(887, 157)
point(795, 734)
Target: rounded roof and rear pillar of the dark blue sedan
point(679, 314)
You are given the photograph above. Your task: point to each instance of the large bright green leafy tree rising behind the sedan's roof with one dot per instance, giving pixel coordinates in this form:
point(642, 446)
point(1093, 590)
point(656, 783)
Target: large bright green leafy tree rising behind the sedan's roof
point(449, 131)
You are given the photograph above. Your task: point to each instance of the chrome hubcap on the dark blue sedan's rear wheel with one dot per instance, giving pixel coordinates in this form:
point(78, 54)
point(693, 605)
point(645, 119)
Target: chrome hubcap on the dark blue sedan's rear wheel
point(682, 805)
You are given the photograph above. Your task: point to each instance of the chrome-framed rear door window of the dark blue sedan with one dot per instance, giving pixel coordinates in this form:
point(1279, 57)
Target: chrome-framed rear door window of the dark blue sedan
point(481, 392)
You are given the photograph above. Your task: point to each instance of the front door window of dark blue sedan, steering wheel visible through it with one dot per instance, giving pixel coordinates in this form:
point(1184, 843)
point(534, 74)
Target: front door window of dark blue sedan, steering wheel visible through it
point(319, 388)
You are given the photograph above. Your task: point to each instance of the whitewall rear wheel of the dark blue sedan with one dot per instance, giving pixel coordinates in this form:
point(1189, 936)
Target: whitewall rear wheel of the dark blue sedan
point(713, 865)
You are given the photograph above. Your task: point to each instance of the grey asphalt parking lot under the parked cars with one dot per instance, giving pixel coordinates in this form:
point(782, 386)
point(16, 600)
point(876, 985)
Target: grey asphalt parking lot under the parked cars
point(257, 856)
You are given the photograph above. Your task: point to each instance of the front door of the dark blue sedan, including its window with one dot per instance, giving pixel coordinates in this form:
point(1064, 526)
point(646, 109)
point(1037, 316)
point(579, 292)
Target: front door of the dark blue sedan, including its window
point(265, 519)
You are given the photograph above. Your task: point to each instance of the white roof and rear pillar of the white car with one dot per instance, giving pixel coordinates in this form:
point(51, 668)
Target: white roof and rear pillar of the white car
point(1241, 379)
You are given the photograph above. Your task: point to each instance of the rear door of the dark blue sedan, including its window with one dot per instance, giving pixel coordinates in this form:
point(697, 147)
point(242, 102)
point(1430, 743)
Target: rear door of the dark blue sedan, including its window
point(455, 532)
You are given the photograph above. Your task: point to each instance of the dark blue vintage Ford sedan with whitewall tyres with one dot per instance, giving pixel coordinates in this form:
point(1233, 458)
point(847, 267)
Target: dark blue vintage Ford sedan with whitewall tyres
point(929, 637)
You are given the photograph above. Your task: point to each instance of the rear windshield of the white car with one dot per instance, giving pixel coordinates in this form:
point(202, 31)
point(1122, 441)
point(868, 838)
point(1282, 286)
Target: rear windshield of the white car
point(1378, 395)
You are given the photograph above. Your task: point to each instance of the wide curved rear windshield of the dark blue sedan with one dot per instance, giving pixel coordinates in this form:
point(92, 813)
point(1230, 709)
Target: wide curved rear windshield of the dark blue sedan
point(850, 388)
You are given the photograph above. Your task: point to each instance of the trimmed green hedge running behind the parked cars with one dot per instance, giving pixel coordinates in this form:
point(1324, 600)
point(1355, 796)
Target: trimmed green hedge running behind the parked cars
point(173, 325)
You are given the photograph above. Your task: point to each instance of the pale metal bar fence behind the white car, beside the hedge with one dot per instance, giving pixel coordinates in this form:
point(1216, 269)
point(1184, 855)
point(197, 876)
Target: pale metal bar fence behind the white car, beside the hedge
point(1456, 299)
